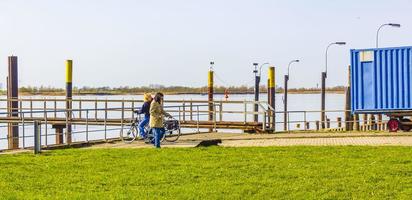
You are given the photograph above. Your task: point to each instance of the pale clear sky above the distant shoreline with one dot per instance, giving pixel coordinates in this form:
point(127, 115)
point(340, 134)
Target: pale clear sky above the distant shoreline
point(170, 42)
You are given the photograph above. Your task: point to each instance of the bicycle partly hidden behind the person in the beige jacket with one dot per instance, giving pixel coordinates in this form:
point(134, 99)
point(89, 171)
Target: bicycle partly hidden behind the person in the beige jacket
point(172, 131)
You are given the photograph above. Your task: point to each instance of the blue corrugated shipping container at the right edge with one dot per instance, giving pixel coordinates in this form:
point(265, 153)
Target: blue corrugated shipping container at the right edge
point(381, 80)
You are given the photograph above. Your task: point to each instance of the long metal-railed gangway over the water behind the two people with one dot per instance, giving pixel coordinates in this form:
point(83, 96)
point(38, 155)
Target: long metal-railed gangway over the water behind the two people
point(104, 116)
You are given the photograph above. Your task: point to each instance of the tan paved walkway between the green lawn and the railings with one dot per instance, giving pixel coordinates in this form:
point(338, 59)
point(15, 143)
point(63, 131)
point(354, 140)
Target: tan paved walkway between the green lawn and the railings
point(257, 140)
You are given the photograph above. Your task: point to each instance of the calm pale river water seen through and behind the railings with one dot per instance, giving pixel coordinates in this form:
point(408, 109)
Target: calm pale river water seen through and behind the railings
point(297, 102)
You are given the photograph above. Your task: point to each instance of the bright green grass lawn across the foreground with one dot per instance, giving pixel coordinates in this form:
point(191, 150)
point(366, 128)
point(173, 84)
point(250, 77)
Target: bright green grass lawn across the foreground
point(210, 173)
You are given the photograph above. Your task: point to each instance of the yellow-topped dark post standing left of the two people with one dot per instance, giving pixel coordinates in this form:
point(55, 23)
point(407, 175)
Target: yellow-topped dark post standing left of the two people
point(69, 94)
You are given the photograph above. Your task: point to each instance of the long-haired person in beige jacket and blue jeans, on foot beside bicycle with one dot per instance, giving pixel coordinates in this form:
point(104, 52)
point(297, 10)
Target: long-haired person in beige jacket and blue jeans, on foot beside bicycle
point(156, 118)
